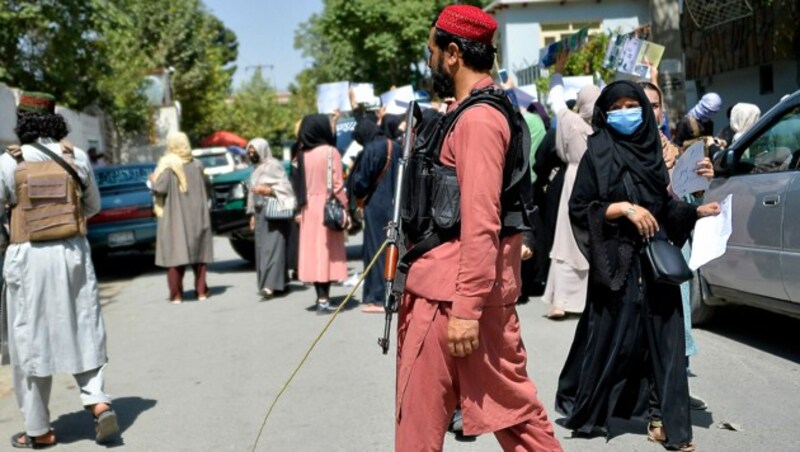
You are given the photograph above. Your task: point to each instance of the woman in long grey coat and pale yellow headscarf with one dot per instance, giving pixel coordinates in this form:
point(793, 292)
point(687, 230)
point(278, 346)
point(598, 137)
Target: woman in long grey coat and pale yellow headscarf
point(184, 234)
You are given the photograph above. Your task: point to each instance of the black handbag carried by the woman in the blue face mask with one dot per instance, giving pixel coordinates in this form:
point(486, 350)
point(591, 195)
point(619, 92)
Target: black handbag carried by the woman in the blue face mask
point(666, 261)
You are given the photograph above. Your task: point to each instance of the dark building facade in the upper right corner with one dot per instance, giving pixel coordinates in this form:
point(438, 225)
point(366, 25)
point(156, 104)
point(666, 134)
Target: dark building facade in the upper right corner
point(751, 56)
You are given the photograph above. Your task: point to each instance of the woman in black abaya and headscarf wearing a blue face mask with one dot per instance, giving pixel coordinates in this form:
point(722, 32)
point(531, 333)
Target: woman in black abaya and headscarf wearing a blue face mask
point(628, 352)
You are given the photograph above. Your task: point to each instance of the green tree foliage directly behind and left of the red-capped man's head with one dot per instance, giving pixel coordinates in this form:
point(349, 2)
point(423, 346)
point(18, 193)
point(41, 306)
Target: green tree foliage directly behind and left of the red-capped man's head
point(369, 40)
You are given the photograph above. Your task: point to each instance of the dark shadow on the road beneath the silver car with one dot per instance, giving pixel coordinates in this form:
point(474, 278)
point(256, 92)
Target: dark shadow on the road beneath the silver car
point(772, 333)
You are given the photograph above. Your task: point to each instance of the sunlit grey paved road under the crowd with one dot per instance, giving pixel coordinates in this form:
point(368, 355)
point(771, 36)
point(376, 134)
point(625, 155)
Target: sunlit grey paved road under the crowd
point(199, 376)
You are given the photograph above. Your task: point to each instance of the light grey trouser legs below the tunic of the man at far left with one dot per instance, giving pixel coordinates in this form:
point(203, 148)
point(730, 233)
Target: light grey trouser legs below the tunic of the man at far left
point(33, 396)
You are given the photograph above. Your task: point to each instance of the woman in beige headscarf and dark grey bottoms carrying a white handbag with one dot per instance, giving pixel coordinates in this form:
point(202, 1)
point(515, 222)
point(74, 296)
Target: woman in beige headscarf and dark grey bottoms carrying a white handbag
point(269, 184)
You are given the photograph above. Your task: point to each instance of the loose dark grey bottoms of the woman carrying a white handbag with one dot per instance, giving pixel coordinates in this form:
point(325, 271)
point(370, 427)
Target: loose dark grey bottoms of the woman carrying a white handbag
point(271, 238)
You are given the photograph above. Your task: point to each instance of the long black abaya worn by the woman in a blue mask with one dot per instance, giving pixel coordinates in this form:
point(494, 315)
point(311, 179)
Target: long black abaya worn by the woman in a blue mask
point(629, 346)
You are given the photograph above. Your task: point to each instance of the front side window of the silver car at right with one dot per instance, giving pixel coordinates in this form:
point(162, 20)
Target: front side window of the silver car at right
point(777, 148)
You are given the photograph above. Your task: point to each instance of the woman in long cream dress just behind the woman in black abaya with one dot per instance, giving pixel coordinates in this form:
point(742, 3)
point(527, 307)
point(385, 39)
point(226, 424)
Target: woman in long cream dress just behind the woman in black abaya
point(567, 279)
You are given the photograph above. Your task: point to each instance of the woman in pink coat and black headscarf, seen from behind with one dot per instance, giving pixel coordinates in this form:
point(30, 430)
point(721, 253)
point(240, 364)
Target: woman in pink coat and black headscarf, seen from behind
point(322, 254)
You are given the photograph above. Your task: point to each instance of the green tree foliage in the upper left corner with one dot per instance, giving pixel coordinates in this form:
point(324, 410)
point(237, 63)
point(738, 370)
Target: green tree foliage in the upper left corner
point(100, 51)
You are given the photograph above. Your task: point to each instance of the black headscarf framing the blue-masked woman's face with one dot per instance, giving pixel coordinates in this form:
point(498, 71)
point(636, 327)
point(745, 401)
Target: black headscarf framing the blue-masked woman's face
point(640, 153)
